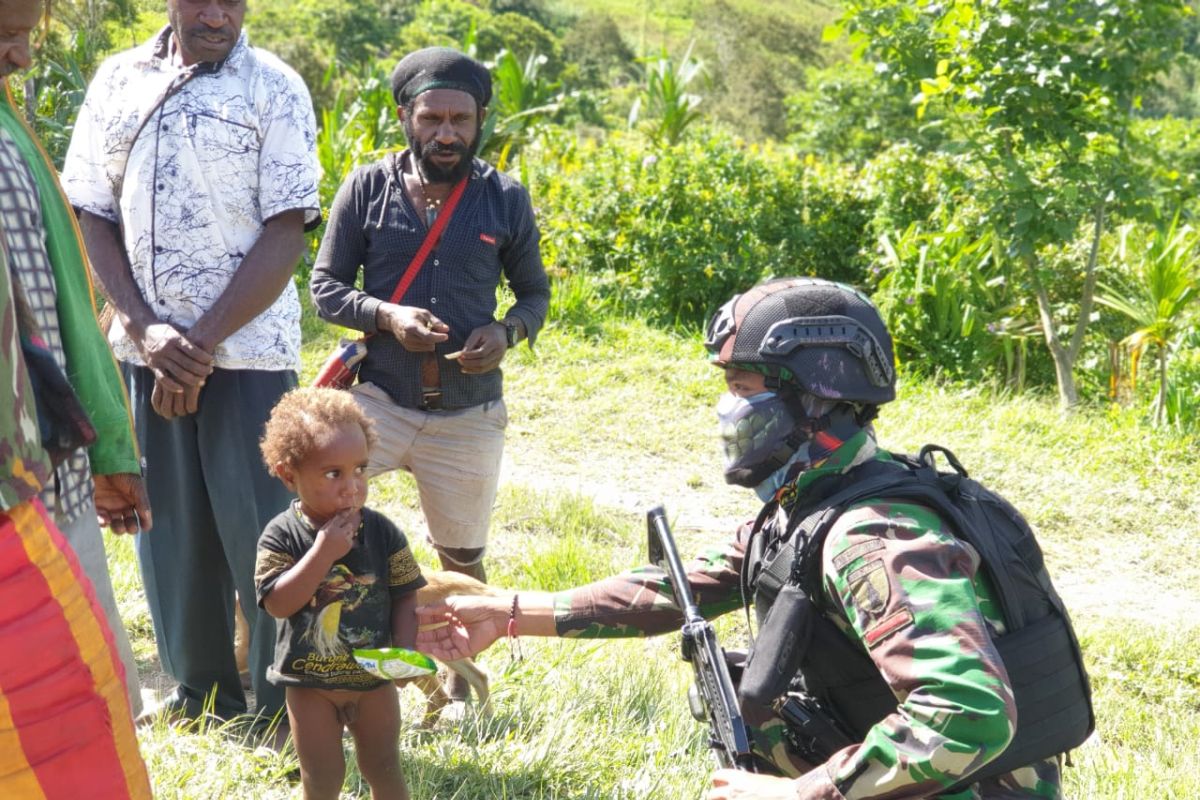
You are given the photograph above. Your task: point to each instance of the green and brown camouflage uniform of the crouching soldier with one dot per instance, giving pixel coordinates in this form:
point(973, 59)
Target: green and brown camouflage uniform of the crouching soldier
point(914, 597)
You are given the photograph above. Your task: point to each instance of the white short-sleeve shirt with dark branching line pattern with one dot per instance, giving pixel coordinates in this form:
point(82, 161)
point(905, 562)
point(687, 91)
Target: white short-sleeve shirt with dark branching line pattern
point(191, 163)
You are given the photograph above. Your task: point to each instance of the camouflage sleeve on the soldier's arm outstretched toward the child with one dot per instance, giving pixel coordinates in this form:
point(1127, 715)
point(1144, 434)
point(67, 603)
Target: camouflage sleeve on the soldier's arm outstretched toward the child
point(640, 603)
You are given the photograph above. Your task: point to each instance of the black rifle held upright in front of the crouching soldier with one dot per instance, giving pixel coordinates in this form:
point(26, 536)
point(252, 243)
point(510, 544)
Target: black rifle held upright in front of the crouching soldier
point(718, 703)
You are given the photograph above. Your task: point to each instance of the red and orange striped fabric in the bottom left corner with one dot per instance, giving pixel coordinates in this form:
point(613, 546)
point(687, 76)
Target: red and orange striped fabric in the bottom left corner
point(65, 724)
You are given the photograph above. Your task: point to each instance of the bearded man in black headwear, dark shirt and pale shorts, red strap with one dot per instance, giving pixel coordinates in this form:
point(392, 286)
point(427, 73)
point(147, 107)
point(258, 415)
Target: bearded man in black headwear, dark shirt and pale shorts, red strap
point(431, 378)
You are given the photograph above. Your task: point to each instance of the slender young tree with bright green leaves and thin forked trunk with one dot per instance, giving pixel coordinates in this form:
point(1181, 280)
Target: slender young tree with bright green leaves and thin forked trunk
point(1042, 95)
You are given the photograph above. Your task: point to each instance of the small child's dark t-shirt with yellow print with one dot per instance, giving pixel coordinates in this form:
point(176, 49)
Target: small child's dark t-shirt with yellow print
point(351, 609)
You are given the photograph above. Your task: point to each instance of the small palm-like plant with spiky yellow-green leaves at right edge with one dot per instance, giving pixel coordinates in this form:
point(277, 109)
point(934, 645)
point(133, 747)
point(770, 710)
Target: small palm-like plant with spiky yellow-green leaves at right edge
point(1157, 296)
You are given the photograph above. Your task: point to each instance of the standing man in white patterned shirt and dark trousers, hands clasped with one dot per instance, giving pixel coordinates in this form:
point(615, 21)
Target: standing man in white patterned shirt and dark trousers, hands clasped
point(194, 170)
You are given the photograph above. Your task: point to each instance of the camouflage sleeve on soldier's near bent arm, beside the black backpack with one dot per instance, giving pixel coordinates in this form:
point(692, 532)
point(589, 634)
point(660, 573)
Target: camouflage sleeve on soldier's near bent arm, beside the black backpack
point(908, 592)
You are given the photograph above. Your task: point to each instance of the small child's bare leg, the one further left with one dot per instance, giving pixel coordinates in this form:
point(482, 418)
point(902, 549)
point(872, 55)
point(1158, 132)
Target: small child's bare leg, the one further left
point(317, 735)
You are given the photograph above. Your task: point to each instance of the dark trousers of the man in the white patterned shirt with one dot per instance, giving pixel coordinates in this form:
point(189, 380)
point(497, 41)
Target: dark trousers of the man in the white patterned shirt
point(212, 498)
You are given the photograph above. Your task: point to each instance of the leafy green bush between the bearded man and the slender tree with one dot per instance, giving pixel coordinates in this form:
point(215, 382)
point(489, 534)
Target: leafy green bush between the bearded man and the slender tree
point(670, 233)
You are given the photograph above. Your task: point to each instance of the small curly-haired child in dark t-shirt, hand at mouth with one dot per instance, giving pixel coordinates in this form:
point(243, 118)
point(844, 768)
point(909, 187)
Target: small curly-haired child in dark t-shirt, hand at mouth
point(340, 576)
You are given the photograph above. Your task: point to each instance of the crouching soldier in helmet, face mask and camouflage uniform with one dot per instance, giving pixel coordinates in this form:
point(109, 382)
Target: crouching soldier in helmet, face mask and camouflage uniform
point(808, 364)
